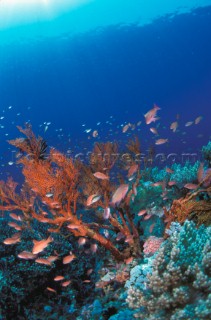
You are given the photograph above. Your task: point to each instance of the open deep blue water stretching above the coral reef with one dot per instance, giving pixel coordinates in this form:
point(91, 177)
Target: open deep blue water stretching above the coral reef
point(74, 72)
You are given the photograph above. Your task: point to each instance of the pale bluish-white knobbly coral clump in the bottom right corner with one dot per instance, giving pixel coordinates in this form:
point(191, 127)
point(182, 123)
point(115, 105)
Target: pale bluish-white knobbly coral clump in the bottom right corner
point(180, 274)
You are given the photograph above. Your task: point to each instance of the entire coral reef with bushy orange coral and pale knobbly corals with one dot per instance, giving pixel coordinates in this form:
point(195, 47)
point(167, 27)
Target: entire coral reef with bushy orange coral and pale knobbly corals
point(104, 239)
